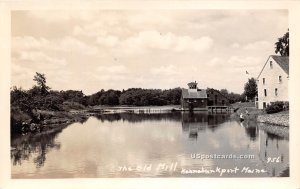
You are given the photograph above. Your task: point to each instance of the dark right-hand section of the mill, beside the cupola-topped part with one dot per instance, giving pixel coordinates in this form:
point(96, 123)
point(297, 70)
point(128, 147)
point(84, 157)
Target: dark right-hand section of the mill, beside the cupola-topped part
point(216, 99)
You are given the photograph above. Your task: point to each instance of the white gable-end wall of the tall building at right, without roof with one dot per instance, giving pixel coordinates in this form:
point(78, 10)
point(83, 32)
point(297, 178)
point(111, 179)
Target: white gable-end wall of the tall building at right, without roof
point(271, 76)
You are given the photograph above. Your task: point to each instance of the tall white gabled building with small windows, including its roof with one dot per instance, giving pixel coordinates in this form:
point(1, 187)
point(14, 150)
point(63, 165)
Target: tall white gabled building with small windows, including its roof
point(272, 82)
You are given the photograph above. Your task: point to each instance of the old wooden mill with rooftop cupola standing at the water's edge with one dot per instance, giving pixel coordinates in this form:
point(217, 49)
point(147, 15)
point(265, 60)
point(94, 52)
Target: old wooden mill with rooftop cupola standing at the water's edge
point(201, 99)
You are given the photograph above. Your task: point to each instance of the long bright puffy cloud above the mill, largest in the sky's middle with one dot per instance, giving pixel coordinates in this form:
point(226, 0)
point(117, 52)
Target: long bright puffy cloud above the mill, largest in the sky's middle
point(147, 41)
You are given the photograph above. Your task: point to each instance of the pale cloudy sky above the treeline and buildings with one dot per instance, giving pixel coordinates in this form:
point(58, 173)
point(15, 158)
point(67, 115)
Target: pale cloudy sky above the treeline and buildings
point(163, 49)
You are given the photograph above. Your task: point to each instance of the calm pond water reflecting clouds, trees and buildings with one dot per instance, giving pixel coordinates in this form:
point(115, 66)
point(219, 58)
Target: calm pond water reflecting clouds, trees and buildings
point(153, 145)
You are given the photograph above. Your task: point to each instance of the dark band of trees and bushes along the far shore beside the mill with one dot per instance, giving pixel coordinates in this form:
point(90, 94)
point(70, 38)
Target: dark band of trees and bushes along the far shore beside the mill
point(42, 97)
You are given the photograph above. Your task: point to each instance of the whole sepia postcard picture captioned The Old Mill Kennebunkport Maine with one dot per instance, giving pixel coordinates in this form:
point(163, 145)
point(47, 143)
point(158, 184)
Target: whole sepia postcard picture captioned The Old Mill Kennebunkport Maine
point(169, 93)
